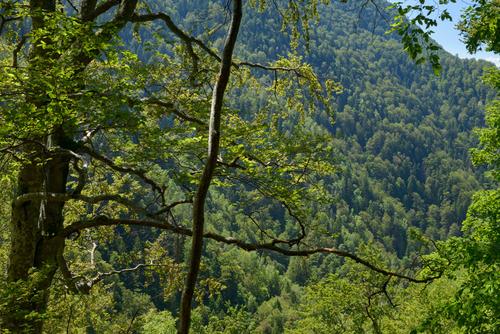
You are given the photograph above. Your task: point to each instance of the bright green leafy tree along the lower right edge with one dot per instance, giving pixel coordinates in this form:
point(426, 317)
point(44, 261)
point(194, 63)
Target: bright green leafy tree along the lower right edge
point(474, 257)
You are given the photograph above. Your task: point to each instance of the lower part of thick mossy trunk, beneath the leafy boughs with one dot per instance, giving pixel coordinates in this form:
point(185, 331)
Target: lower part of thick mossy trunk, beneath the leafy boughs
point(33, 253)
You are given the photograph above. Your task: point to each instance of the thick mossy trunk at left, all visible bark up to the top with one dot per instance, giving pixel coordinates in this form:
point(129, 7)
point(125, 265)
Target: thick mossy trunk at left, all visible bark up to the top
point(36, 224)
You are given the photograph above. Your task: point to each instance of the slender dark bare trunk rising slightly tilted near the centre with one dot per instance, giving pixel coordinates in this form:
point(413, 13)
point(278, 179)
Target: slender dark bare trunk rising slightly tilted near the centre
point(208, 171)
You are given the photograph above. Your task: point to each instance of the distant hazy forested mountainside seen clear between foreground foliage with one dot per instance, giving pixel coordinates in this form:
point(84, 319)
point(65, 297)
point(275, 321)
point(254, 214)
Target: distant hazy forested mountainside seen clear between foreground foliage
point(402, 133)
